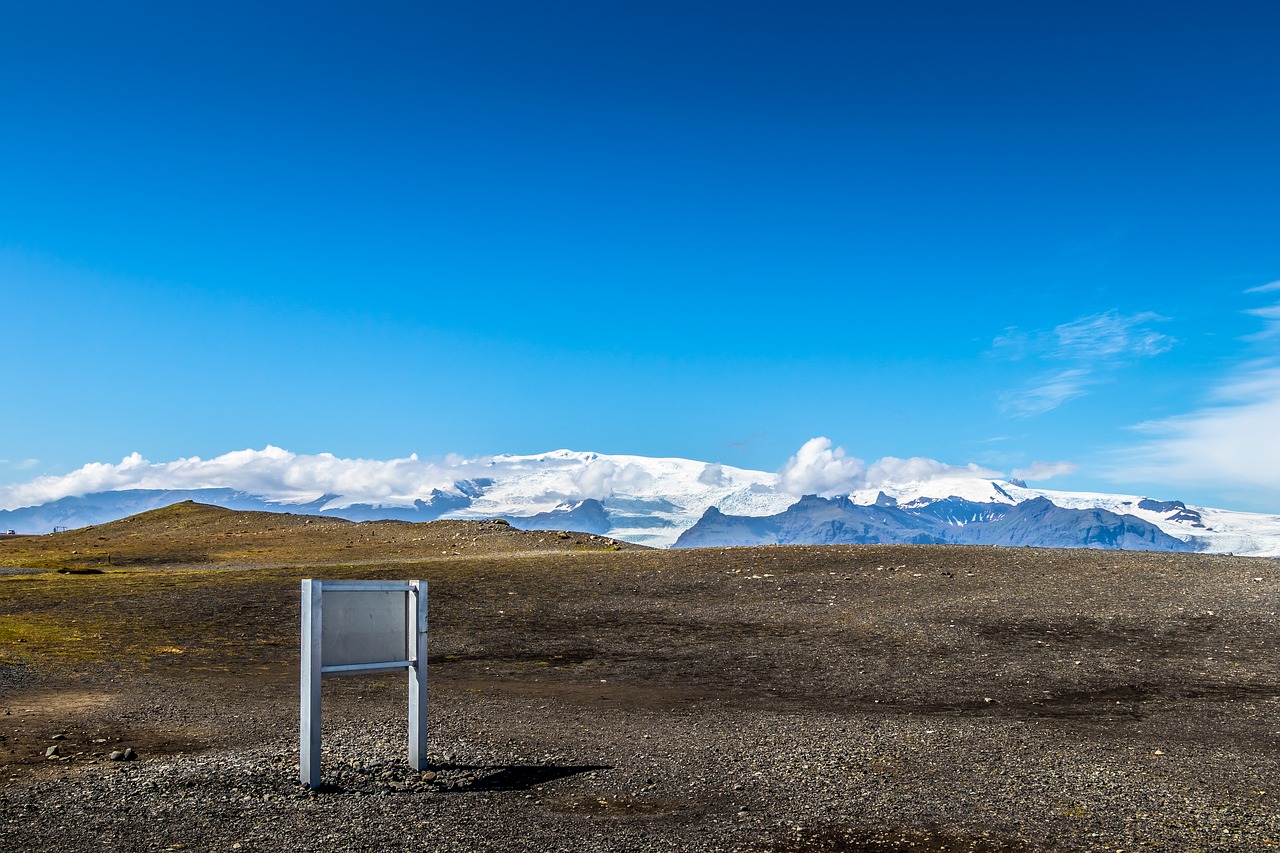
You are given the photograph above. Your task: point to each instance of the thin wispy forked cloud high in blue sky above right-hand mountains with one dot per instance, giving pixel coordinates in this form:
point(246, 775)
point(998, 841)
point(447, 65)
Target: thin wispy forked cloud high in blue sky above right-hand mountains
point(1092, 348)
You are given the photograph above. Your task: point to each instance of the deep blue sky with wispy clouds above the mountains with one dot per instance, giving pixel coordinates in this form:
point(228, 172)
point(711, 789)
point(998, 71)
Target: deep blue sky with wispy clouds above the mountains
point(1034, 239)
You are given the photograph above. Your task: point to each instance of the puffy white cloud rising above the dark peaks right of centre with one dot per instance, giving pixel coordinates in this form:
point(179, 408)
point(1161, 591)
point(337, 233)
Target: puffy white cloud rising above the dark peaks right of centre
point(821, 469)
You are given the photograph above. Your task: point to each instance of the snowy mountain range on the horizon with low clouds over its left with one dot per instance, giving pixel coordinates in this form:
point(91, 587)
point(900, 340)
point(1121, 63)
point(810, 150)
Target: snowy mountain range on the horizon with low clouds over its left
point(659, 503)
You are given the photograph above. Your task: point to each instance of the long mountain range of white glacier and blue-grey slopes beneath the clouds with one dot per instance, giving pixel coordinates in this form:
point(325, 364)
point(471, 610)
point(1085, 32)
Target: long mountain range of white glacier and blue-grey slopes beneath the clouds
point(660, 501)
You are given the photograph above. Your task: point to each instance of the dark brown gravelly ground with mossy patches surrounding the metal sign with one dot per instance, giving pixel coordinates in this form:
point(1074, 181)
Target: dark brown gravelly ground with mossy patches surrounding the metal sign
point(801, 699)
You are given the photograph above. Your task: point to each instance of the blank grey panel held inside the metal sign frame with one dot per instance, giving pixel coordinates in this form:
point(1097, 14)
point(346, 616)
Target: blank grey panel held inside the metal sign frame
point(364, 627)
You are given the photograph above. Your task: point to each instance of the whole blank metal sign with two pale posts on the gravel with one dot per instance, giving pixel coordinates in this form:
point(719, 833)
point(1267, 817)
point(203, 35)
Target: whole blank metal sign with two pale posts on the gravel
point(365, 637)
